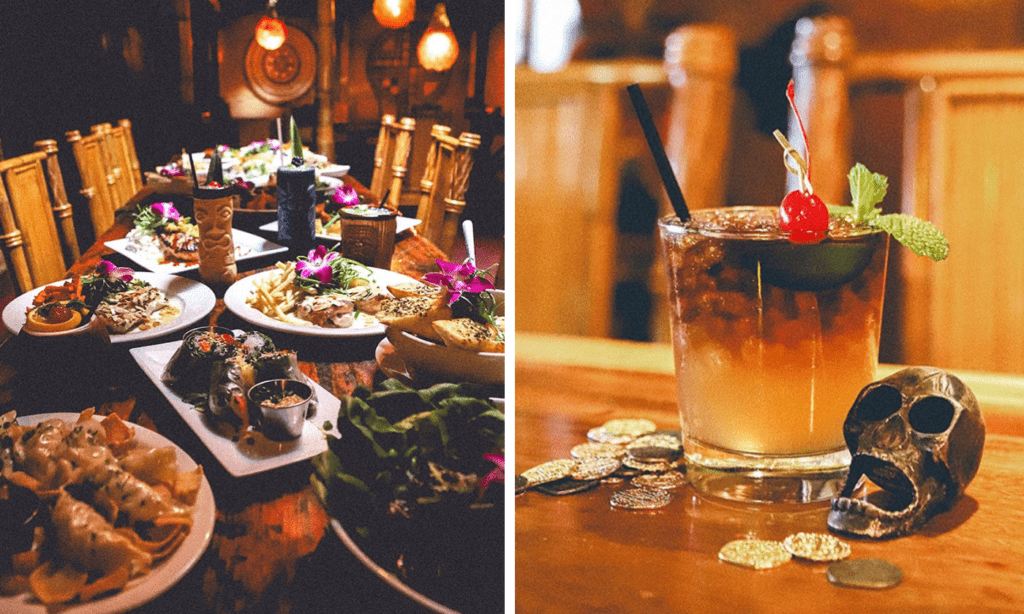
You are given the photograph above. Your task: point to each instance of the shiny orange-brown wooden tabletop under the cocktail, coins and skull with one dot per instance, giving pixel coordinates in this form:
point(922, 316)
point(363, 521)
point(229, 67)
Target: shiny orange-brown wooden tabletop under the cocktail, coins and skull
point(577, 554)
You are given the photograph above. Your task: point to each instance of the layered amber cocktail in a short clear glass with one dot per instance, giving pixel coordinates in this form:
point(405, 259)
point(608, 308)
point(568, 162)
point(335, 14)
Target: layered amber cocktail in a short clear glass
point(774, 341)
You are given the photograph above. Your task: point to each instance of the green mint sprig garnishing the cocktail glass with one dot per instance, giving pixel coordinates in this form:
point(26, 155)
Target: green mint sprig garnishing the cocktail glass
point(868, 190)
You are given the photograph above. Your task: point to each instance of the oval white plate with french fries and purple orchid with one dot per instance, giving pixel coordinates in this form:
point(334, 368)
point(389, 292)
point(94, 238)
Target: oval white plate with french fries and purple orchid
point(318, 295)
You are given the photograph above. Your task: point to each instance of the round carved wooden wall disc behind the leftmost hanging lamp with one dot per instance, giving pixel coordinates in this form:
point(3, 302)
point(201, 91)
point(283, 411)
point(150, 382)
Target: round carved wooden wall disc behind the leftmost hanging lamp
point(284, 74)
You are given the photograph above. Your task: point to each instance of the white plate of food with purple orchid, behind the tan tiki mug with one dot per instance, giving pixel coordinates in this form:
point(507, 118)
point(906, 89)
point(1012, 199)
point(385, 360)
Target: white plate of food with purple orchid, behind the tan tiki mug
point(165, 242)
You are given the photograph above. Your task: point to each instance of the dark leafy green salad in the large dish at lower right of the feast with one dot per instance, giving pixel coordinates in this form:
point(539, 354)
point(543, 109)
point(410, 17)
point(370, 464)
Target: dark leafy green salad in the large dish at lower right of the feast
point(403, 450)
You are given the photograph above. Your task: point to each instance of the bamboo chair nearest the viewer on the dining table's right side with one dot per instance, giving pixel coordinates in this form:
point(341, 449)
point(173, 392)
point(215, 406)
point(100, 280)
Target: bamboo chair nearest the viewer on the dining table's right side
point(443, 190)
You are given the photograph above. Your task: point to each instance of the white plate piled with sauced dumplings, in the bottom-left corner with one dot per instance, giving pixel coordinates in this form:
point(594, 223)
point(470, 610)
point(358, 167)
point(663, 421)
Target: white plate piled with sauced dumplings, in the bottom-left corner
point(146, 549)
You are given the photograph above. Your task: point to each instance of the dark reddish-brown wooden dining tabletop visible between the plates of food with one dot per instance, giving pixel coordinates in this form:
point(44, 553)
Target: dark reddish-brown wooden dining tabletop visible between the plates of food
point(273, 549)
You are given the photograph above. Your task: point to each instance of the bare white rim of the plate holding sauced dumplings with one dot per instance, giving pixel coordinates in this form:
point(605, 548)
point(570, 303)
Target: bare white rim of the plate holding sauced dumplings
point(145, 589)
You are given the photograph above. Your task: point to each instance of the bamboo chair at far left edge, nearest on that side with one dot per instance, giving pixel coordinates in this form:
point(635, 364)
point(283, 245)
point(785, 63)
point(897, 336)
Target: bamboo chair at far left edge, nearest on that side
point(33, 197)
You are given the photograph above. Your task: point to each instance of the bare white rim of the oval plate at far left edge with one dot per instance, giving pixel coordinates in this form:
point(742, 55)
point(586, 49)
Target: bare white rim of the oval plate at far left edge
point(195, 299)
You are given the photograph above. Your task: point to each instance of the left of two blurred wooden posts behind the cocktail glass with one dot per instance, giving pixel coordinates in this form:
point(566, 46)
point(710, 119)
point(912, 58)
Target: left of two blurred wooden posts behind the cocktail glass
point(701, 62)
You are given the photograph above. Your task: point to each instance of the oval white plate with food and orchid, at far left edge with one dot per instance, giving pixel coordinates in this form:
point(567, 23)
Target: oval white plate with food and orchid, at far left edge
point(131, 305)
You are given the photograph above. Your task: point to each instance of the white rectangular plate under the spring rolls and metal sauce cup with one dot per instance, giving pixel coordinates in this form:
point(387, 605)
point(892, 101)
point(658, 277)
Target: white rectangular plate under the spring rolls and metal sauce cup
point(239, 458)
